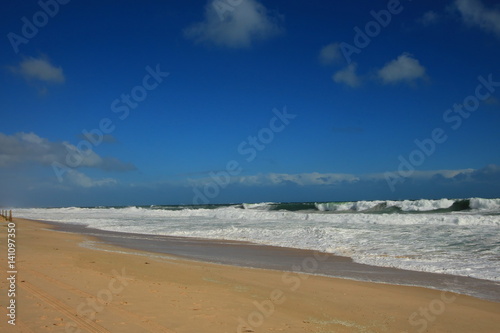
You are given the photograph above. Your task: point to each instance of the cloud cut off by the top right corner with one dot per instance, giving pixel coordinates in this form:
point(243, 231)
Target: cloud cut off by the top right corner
point(475, 13)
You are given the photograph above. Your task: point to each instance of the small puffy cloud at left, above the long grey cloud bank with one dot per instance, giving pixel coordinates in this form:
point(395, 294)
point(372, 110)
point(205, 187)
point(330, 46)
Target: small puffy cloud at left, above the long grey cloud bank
point(40, 69)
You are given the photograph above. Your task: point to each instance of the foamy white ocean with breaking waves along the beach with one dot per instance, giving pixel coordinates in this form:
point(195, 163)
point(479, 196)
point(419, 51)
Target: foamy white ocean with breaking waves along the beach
point(449, 236)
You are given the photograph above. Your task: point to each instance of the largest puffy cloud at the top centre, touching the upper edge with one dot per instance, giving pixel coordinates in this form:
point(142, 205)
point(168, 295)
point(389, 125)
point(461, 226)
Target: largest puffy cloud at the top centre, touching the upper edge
point(235, 26)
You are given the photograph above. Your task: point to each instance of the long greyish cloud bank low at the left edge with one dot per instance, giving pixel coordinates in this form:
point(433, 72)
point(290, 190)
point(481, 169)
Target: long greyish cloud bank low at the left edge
point(30, 148)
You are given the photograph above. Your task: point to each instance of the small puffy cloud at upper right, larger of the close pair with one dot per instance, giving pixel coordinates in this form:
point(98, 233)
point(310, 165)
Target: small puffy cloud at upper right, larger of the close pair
point(403, 69)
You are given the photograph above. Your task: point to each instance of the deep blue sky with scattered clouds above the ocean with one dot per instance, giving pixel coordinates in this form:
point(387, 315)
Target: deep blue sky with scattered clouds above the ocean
point(246, 101)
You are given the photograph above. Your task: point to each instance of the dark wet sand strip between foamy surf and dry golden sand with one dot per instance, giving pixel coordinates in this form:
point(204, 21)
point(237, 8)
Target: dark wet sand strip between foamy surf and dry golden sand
point(251, 255)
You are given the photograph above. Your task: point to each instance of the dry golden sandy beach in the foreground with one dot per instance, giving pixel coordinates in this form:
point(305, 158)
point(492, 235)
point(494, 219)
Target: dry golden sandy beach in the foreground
point(62, 286)
